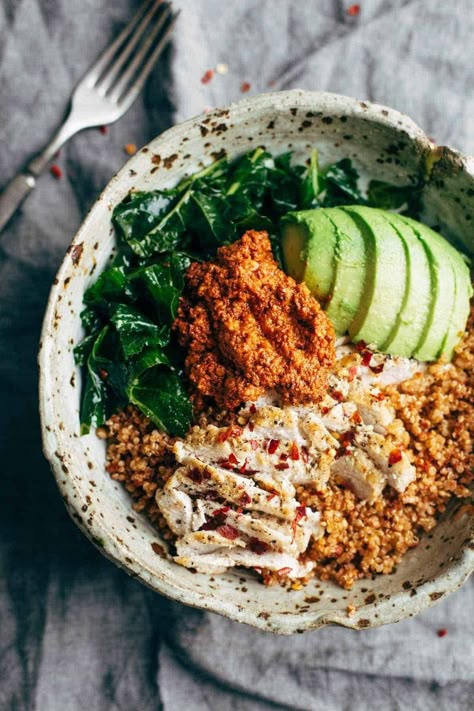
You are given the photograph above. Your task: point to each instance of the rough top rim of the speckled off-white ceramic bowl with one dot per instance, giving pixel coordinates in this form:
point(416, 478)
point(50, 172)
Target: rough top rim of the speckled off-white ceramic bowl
point(117, 551)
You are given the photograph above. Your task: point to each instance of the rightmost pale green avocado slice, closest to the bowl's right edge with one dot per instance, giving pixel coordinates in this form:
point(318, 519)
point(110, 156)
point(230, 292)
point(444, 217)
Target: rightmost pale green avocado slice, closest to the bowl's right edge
point(457, 298)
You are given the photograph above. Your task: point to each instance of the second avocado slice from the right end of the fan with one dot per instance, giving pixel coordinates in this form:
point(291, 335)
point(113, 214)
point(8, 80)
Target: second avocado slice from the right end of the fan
point(412, 317)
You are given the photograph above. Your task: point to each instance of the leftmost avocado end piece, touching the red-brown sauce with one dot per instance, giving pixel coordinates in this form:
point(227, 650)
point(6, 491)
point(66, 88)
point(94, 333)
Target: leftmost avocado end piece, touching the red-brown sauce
point(309, 245)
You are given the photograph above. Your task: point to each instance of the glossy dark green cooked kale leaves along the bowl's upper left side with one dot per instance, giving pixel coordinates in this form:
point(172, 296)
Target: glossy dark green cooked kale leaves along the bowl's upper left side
point(129, 353)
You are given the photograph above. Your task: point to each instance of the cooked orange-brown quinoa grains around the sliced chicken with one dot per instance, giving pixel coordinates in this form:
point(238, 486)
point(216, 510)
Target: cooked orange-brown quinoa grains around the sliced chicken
point(360, 538)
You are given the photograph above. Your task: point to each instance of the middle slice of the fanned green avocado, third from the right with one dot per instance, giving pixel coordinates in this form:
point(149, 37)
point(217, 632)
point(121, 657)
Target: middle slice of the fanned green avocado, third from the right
point(385, 283)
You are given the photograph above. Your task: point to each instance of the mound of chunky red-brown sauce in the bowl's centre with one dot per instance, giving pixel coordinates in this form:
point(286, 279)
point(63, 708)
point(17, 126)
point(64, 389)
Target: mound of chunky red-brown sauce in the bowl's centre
point(248, 327)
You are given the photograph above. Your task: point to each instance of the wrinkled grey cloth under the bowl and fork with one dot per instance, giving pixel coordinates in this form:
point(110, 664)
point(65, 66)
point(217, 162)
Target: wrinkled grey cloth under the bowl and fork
point(75, 632)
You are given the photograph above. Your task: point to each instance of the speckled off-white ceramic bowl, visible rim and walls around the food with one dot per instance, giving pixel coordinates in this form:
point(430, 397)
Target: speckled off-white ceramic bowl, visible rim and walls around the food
point(383, 144)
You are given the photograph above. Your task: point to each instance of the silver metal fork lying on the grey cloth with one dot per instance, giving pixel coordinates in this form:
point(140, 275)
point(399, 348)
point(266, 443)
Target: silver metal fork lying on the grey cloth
point(104, 94)
